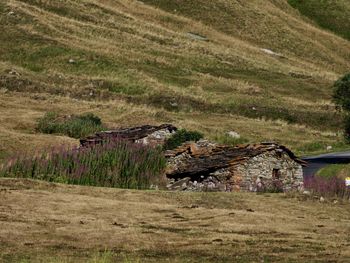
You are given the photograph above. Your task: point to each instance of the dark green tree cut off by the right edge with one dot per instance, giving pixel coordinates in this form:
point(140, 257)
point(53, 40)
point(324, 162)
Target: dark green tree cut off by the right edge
point(341, 97)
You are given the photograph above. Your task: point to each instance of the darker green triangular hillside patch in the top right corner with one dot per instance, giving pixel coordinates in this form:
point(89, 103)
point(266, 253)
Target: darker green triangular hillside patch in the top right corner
point(333, 15)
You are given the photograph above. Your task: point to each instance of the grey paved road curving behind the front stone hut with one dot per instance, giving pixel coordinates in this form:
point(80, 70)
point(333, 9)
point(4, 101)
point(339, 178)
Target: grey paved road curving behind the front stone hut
point(319, 161)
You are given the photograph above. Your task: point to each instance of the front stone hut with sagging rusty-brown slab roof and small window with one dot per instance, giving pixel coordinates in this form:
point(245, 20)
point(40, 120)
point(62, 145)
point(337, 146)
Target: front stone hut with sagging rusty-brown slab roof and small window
point(205, 166)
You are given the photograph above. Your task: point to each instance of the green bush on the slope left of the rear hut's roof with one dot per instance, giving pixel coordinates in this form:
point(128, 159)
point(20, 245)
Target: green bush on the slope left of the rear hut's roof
point(76, 126)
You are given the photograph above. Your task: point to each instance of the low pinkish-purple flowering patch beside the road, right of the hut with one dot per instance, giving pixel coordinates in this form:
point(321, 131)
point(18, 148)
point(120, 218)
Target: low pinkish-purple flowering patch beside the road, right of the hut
point(327, 187)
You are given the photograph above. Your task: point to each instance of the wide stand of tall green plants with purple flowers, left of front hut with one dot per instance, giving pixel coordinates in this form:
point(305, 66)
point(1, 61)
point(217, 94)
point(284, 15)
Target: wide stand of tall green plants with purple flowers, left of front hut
point(114, 163)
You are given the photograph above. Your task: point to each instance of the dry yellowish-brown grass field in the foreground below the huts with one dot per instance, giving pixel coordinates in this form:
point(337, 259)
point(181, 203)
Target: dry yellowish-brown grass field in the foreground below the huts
point(42, 222)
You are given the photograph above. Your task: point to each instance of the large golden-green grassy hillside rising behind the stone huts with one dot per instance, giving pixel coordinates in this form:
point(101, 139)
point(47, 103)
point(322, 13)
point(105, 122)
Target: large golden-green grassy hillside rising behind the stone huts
point(134, 62)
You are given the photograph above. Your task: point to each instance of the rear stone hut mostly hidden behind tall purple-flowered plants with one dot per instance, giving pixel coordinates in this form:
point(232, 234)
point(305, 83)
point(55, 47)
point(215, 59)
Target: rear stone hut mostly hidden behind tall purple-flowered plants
point(147, 135)
